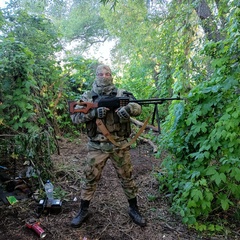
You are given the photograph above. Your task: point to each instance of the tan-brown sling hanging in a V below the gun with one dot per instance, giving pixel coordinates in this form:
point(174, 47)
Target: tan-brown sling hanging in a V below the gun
point(107, 134)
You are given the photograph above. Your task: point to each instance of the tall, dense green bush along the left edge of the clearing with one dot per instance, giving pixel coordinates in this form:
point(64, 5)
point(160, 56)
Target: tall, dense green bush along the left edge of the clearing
point(30, 86)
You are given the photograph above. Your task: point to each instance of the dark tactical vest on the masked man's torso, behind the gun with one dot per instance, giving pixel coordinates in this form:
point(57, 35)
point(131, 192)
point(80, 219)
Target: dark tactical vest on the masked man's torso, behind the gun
point(113, 123)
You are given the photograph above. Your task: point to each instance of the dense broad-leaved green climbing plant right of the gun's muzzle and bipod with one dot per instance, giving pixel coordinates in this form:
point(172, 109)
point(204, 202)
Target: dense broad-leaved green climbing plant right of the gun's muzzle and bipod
point(203, 134)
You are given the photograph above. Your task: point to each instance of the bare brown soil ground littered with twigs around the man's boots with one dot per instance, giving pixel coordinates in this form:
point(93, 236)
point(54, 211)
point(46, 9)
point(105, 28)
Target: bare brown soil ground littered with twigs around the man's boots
point(108, 218)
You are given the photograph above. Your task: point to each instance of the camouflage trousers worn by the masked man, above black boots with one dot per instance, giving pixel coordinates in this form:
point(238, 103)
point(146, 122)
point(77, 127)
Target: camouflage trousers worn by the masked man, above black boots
point(95, 162)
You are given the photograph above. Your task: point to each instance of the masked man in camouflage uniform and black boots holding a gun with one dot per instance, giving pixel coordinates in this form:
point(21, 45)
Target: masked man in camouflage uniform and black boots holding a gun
point(101, 149)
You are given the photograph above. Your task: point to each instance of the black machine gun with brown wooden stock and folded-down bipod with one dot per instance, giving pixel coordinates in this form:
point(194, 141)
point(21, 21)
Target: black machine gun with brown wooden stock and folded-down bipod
point(114, 103)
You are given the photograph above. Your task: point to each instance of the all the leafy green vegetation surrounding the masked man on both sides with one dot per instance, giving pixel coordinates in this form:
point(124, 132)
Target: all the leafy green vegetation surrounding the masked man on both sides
point(163, 47)
